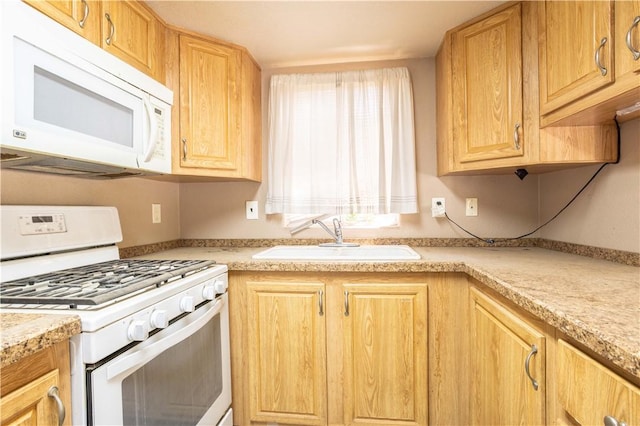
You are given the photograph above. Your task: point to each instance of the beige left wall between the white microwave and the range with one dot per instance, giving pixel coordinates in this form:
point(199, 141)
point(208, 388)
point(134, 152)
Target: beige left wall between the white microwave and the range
point(132, 196)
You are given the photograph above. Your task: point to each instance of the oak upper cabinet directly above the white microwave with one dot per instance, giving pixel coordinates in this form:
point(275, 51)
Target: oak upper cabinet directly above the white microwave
point(127, 29)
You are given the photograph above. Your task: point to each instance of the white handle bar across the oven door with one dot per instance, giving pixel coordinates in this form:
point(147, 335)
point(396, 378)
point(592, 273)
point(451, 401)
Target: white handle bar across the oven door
point(140, 357)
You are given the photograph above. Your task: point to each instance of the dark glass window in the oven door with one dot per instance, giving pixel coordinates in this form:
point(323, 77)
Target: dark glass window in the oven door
point(178, 386)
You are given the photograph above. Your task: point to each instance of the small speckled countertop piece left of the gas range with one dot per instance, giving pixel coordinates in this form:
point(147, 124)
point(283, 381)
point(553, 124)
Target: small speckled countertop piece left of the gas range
point(24, 334)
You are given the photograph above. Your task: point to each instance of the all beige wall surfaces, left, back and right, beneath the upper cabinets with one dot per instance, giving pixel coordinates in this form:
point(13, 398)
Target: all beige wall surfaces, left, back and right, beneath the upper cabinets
point(606, 215)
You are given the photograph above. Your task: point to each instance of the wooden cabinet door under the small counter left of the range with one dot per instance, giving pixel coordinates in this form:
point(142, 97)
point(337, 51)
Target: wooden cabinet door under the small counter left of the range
point(30, 404)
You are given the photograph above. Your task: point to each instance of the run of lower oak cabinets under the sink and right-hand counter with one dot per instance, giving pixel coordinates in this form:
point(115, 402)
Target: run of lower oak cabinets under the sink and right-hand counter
point(347, 348)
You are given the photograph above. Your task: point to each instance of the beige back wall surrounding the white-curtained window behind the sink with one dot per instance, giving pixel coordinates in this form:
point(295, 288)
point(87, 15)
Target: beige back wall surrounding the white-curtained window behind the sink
point(507, 206)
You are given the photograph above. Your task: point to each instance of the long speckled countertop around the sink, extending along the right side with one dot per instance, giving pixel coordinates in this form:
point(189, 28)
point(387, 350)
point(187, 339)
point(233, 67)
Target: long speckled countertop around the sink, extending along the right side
point(596, 302)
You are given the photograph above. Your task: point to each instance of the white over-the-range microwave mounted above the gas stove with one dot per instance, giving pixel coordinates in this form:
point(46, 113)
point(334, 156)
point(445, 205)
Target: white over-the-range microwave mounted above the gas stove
point(69, 107)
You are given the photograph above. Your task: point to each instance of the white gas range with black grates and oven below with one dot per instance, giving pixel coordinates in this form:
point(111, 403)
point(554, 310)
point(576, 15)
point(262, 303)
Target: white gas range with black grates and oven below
point(154, 346)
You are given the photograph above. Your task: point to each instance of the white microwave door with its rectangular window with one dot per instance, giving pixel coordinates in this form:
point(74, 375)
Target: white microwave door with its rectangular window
point(66, 110)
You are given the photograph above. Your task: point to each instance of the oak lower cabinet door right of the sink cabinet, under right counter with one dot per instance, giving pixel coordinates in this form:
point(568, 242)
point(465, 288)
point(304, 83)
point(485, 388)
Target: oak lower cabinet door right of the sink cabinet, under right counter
point(502, 392)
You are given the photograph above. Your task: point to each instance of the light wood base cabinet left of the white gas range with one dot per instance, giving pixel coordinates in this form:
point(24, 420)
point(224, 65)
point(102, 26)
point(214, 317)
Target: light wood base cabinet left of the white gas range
point(26, 385)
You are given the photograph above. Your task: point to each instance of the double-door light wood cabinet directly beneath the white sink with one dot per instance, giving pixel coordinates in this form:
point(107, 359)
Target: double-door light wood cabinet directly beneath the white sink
point(315, 355)
